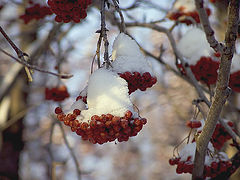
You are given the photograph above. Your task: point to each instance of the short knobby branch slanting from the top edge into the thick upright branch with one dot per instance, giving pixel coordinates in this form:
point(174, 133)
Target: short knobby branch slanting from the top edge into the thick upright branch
point(218, 47)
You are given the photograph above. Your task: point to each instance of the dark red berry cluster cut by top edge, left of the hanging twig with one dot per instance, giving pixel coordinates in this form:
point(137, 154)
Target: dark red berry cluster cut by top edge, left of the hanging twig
point(69, 10)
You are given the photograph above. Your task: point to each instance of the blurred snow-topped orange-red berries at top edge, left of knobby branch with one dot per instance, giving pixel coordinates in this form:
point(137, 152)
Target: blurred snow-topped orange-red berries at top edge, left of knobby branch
point(185, 12)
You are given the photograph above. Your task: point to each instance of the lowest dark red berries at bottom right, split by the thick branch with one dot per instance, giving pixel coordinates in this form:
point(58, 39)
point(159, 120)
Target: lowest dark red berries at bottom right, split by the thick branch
point(212, 170)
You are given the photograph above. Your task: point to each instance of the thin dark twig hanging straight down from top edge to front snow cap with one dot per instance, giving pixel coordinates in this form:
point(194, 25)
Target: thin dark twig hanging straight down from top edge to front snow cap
point(104, 33)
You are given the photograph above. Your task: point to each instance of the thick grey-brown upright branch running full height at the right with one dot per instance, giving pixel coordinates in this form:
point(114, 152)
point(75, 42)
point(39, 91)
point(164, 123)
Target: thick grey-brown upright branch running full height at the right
point(222, 91)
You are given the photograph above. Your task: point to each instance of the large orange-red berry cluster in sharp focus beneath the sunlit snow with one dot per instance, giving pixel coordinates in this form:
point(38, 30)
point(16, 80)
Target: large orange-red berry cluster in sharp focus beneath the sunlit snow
point(104, 128)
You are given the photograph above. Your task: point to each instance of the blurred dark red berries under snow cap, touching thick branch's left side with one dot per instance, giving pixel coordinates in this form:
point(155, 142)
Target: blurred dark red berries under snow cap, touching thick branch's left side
point(206, 70)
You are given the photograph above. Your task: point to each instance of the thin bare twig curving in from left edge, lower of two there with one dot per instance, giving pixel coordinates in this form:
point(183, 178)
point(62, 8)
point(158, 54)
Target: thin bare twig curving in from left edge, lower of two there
point(24, 63)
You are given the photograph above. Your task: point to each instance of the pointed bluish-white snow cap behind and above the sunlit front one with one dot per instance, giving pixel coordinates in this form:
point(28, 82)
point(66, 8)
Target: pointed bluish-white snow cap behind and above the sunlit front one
point(127, 56)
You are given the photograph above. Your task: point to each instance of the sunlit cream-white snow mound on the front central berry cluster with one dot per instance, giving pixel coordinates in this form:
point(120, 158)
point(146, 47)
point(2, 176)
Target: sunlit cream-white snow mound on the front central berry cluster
point(107, 93)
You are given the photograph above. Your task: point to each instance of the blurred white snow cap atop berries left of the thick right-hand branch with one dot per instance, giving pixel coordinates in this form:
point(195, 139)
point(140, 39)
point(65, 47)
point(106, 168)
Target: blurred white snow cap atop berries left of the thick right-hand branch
point(193, 45)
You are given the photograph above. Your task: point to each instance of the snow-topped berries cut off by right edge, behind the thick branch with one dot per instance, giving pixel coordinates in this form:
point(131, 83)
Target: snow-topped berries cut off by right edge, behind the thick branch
point(234, 81)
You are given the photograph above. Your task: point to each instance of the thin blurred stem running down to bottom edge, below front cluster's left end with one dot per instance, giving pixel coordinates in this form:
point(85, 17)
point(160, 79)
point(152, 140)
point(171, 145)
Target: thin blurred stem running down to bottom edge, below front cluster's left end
point(71, 151)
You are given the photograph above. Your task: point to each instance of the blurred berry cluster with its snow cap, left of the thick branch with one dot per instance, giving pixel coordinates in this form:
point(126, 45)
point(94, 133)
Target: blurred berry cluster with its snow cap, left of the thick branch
point(203, 61)
